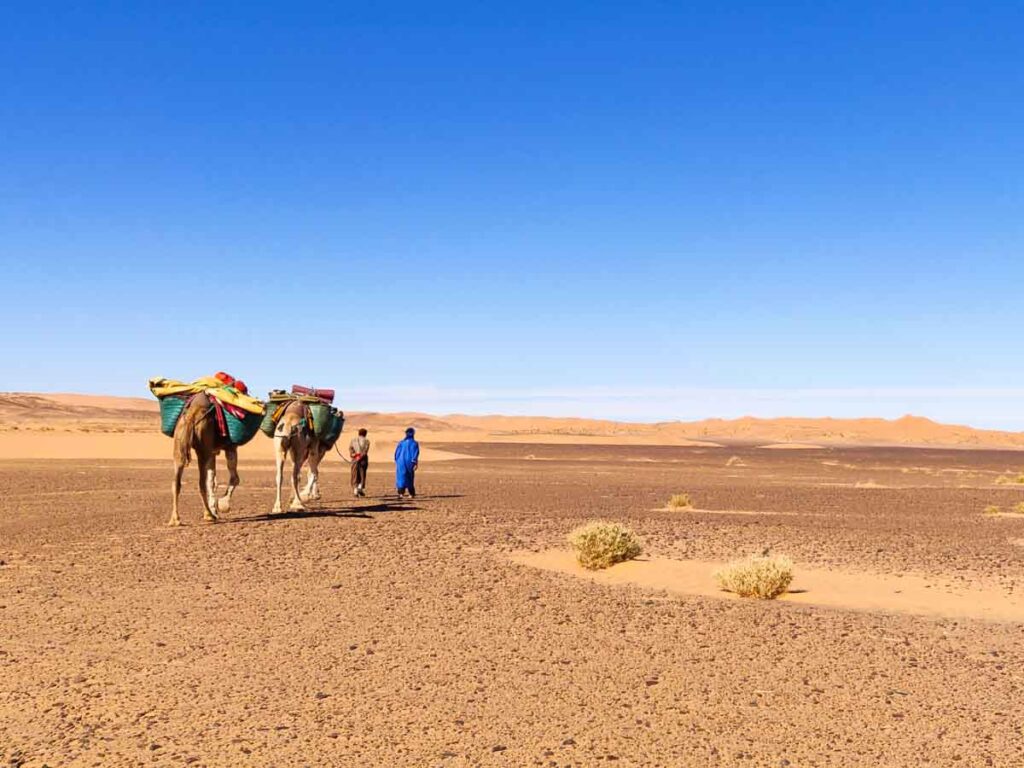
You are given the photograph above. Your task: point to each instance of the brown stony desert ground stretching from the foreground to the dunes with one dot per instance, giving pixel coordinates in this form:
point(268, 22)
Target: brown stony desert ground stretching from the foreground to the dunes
point(453, 630)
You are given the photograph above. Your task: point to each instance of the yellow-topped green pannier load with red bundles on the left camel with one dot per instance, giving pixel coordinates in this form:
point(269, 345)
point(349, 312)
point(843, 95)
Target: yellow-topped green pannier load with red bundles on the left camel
point(238, 415)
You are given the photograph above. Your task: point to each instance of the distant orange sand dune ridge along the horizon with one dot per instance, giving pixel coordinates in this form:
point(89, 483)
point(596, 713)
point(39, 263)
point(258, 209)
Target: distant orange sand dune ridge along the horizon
point(106, 415)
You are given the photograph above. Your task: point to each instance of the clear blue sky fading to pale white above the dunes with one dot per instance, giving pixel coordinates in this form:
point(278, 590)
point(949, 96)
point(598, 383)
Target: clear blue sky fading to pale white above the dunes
point(635, 210)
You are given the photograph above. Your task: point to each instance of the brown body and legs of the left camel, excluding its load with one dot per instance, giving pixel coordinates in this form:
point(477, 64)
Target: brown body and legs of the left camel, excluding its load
point(197, 431)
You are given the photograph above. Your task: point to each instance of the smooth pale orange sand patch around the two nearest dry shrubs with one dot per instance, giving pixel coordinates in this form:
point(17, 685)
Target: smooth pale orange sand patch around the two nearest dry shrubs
point(874, 593)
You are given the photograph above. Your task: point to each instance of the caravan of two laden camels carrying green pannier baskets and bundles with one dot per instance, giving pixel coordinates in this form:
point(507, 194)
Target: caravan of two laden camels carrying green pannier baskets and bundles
point(217, 414)
